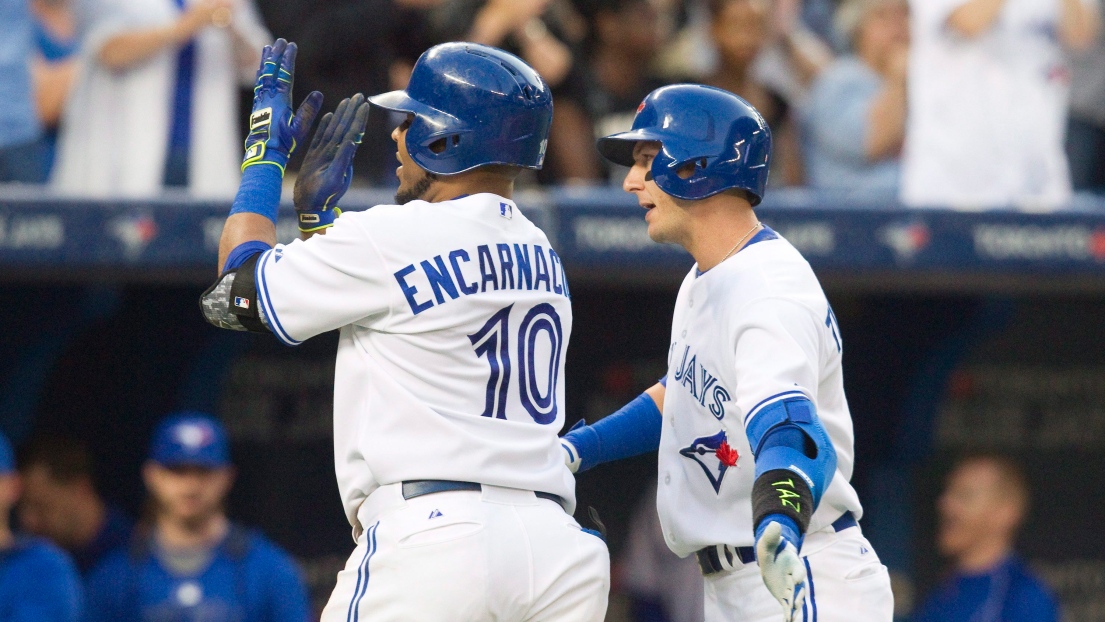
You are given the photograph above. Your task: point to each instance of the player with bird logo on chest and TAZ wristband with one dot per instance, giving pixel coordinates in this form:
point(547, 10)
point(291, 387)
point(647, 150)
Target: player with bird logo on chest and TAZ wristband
point(752, 425)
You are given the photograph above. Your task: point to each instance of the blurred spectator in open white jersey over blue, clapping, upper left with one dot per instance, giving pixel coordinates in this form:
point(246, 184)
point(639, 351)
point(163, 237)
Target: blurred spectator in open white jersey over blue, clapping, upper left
point(156, 100)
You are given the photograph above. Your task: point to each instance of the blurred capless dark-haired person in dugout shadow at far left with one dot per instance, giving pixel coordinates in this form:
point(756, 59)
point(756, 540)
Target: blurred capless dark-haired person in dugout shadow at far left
point(60, 502)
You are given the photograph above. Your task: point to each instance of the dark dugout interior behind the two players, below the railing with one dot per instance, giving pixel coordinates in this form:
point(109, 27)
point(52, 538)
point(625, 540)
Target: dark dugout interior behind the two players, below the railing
point(928, 376)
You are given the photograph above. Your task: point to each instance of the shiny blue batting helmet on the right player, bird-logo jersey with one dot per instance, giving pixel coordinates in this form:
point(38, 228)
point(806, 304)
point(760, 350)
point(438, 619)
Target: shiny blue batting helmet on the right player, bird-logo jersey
point(724, 136)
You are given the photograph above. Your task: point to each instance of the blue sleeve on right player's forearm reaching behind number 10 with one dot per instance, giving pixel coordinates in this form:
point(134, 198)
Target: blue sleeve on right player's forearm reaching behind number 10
point(632, 431)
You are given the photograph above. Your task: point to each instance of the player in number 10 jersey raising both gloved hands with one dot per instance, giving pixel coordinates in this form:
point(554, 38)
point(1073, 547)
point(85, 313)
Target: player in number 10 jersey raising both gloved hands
point(455, 318)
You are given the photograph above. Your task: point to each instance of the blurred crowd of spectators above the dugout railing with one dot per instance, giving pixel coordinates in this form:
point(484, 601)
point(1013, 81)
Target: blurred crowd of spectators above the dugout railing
point(964, 103)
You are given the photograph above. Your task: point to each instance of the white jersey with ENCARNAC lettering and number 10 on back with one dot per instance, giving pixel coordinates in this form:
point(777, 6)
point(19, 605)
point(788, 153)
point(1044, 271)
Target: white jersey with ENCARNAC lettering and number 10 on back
point(455, 321)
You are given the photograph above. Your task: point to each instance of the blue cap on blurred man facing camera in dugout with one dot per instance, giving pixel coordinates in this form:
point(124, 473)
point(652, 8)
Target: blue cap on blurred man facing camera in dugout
point(191, 439)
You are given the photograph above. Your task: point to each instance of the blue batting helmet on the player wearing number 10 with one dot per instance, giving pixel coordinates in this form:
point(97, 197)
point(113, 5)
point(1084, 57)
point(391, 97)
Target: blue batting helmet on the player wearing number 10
point(488, 106)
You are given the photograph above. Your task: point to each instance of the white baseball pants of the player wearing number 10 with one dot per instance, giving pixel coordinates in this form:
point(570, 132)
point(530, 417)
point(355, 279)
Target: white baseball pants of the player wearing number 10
point(501, 554)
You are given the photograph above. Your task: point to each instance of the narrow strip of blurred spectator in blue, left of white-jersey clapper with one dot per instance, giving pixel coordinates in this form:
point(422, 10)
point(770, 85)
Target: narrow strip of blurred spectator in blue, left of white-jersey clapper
point(55, 65)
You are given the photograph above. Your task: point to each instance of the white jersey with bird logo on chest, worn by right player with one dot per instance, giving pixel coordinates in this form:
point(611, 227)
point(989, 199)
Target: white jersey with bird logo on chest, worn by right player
point(751, 332)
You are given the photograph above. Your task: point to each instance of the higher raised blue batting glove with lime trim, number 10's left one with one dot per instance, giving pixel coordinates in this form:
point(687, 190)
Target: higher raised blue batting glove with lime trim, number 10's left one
point(275, 131)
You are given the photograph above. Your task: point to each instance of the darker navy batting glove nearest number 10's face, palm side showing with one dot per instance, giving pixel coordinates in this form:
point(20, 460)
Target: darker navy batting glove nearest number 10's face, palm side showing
point(328, 170)
